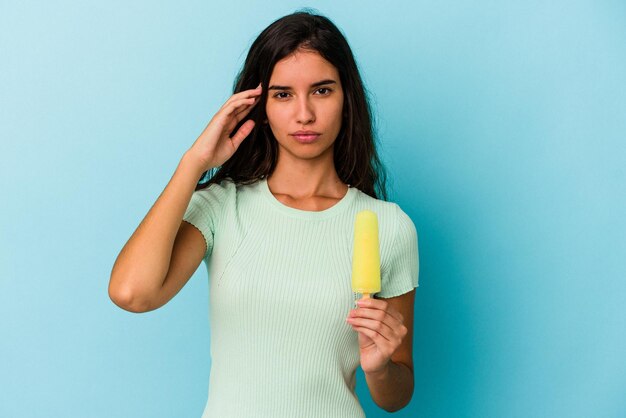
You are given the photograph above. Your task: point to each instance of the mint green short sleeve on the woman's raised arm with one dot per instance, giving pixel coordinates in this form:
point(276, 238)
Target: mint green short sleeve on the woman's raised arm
point(204, 210)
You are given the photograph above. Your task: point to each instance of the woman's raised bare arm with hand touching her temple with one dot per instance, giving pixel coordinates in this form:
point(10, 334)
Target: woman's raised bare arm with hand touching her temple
point(164, 252)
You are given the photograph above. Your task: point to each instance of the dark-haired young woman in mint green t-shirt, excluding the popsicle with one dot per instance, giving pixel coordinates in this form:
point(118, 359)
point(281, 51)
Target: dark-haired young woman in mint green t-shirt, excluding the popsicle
point(290, 159)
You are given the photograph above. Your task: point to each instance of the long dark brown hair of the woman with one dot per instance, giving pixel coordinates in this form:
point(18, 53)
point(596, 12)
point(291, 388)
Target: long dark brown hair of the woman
point(355, 157)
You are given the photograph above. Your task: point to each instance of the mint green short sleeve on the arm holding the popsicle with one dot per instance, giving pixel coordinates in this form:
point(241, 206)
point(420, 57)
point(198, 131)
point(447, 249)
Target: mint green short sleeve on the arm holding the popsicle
point(402, 269)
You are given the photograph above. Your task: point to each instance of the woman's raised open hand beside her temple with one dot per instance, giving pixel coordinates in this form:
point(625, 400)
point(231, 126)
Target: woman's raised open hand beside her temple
point(214, 146)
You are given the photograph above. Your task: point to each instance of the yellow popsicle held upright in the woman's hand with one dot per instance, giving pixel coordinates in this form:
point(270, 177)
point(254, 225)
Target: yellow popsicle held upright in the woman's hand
point(365, 254)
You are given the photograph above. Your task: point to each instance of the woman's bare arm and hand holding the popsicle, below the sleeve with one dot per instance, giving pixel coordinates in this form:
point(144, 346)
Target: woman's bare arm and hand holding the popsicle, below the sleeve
point(385, 328)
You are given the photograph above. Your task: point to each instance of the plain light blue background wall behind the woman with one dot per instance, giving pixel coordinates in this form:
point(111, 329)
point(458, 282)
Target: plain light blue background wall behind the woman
point(502, 125)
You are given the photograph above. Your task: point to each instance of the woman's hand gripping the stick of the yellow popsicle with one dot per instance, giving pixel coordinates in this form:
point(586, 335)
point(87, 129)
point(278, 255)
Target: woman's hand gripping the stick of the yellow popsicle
point(381, 330)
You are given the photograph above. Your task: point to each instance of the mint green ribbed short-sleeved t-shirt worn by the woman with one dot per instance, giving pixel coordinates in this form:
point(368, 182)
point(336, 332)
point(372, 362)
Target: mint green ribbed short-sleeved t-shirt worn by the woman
point(279, 293)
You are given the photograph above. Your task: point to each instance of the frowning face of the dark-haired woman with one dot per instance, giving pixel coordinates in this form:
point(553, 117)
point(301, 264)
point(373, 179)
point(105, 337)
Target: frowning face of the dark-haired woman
point(305, 94)
